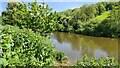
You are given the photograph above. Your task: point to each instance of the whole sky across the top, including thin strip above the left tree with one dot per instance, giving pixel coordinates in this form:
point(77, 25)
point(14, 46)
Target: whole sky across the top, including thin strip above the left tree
point(56, 5)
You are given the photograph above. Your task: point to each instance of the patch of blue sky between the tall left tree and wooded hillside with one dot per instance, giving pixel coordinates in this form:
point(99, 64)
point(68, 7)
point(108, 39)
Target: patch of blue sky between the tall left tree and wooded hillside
point(61, 6)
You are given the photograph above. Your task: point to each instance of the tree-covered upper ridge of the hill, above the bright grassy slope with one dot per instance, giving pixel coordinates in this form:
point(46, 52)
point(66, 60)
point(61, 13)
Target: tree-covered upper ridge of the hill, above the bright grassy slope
point(87, 12)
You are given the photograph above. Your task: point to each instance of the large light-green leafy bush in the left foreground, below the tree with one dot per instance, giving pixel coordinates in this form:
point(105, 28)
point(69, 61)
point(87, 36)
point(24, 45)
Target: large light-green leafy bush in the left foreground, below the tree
point(22, 47)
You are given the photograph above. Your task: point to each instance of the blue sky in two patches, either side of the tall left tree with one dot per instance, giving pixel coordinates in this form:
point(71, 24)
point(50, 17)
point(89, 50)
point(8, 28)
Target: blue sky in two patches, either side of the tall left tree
point(56, 6)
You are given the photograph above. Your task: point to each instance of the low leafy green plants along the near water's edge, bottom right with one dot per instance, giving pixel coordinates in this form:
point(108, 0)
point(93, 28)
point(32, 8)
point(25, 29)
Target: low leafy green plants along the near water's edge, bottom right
point(101, 63)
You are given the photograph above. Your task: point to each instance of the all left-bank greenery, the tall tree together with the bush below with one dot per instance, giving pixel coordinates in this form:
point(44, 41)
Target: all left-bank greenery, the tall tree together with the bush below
point(25, 36)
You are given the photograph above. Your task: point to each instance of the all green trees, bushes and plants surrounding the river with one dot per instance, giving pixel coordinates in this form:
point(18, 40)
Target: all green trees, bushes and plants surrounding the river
point(24, 33)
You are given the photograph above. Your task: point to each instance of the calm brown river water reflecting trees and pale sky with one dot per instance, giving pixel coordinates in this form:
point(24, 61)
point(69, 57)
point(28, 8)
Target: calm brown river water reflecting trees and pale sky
point(75, 46)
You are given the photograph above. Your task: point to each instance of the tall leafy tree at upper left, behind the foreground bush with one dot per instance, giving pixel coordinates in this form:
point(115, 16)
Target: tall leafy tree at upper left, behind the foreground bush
point(38, 17)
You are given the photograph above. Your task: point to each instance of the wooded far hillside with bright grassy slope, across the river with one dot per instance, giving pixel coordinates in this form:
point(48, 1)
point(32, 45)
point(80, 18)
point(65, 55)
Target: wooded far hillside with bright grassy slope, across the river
point(99, 19)
